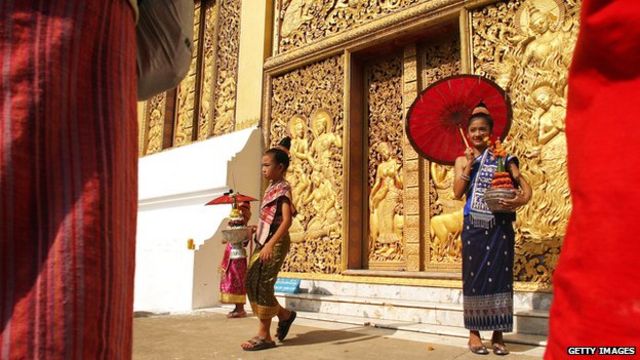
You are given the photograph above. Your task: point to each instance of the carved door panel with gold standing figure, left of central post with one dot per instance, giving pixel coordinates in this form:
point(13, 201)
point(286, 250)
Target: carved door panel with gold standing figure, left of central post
point(386, 204)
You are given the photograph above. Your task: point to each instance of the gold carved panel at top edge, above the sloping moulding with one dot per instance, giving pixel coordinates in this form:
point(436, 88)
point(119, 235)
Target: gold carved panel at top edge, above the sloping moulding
point(305, 21)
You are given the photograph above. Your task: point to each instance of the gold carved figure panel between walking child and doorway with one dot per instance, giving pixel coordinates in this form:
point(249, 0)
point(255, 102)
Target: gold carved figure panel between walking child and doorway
point(307, 104)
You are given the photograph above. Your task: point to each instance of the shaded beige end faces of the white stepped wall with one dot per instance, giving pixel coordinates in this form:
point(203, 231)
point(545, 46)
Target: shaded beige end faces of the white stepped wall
point(243, 175)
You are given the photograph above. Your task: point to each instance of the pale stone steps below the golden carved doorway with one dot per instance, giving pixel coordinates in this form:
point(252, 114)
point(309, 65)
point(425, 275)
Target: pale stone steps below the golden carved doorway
point(422, 307)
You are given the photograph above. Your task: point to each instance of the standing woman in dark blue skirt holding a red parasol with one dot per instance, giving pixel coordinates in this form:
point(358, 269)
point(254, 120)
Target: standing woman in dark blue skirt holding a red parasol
point(487, 238)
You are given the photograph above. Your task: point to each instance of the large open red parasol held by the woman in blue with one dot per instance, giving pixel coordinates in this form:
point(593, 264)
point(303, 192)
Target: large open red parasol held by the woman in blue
point(436, 116)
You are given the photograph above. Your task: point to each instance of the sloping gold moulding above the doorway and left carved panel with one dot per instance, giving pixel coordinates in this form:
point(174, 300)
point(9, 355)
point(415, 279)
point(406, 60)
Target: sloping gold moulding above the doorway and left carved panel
point(413, 17)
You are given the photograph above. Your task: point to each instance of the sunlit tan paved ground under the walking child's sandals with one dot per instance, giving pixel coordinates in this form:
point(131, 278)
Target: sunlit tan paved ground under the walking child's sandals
point(210, 335)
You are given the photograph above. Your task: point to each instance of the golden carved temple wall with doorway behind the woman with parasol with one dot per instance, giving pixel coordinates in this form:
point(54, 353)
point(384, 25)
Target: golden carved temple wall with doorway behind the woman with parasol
point(406, 217)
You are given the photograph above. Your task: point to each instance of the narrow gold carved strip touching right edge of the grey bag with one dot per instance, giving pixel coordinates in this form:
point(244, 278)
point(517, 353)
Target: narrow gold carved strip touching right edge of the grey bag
point(185, 98)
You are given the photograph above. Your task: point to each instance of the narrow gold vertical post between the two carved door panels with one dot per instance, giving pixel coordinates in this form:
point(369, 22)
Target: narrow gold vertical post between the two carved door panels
point(411, 165)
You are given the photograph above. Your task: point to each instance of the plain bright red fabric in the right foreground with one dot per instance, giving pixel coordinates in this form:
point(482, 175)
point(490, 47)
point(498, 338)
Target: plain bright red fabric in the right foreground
point(597, 282)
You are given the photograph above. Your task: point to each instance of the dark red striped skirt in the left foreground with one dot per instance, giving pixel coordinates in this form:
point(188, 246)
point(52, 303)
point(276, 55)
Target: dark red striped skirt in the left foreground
point(68, 178)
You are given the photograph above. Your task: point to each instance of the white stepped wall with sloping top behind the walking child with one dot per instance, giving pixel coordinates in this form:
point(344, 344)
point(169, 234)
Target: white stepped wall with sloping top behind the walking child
point(174, 185)
